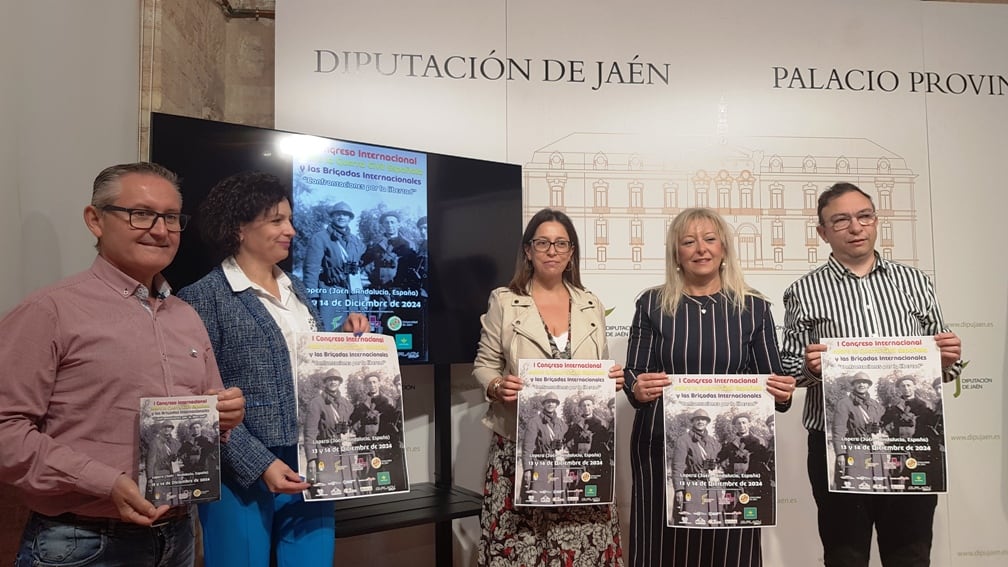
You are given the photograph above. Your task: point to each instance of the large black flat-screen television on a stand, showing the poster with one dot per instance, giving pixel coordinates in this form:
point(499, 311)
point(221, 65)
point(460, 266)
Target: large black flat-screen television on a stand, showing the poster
point(415, 241)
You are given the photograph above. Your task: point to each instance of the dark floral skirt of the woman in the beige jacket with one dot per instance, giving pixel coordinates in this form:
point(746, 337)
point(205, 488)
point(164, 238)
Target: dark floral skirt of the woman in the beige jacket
point(584, 536)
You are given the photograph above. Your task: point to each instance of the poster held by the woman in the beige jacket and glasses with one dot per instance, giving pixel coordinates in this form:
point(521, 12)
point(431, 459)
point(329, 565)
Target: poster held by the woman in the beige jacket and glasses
point(566, 452)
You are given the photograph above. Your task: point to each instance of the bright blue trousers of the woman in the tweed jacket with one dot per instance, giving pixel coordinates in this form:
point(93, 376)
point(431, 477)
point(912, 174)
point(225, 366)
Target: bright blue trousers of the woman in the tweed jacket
point(248, 526)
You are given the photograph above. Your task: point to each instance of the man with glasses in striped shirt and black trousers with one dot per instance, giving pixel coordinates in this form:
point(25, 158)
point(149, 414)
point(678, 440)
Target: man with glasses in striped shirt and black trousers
point(858, 294)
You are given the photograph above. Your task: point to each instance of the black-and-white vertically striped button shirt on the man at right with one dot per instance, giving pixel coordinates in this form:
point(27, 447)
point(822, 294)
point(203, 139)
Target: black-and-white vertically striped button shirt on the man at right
point(832, 302)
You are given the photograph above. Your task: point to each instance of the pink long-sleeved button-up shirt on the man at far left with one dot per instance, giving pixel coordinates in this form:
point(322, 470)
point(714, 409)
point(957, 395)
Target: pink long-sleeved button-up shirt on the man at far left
point(76, 359)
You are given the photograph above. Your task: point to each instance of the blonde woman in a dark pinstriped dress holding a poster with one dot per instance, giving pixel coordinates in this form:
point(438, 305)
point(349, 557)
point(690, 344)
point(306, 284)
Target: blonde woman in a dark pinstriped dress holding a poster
point(704, 320)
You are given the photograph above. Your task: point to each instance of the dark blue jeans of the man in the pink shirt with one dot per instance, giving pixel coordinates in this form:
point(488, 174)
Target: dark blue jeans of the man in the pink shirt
point(87, 542)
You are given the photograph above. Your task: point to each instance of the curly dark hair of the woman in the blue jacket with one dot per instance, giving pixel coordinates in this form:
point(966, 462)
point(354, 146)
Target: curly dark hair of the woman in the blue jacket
point(240, 199)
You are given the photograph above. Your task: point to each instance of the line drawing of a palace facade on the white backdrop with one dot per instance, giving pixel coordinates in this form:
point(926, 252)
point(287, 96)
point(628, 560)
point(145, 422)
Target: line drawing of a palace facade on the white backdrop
point(622, 194)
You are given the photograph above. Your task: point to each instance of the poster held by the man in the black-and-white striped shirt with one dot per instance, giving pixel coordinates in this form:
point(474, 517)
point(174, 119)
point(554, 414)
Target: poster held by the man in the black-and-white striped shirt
point(885, 418)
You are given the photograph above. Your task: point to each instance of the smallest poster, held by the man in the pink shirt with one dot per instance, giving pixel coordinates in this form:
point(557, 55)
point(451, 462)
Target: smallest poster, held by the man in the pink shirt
point(180, 450)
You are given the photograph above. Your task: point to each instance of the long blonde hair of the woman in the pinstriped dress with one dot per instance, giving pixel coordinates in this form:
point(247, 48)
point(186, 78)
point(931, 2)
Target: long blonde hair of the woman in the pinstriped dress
point(733, 284)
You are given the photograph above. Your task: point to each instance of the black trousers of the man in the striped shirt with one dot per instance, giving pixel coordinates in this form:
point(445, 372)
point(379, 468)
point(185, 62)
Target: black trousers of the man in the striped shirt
point(904, 522)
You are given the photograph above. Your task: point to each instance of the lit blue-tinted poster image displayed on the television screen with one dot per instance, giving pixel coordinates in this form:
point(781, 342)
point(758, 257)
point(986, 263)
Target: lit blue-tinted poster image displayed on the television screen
point(361, 215)
